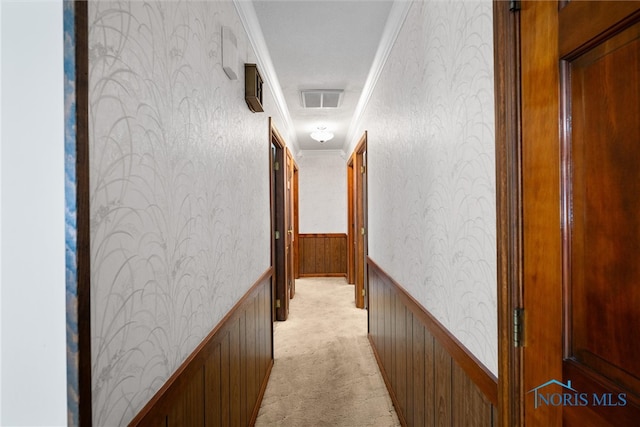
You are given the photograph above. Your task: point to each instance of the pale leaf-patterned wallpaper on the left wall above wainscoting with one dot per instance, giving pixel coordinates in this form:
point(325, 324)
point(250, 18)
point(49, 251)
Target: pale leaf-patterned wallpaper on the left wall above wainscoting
point(179, 191)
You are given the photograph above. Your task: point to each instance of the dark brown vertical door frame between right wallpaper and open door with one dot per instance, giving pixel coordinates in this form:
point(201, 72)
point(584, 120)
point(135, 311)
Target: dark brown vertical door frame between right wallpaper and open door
point(506, 29)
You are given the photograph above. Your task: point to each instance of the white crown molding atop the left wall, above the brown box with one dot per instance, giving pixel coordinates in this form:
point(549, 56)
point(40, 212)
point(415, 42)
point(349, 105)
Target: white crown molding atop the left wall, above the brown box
point(251, 25)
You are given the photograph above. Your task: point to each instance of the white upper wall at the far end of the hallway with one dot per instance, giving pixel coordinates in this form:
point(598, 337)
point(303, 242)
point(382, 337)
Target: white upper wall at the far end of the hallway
point(322, 192)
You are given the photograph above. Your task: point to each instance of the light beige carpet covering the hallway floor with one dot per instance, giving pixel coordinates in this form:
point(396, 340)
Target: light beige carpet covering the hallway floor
point(325, 373)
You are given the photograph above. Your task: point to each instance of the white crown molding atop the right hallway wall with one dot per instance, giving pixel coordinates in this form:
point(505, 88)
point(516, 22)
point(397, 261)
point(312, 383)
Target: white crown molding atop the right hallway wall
point(397, 16)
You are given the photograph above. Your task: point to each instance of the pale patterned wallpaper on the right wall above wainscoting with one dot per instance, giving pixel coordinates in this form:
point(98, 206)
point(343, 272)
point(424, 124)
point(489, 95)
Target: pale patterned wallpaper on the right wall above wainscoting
point(432, 209)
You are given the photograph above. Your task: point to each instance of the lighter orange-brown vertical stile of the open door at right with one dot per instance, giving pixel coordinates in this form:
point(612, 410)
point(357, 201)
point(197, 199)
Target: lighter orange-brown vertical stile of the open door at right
point(541, 207)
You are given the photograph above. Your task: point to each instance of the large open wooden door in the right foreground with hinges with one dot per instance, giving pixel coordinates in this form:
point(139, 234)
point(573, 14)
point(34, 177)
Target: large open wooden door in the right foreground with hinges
point(581, 212)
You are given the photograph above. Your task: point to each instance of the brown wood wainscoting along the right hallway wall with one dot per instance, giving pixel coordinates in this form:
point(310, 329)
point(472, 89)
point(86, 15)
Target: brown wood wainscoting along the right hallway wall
point(431, 377)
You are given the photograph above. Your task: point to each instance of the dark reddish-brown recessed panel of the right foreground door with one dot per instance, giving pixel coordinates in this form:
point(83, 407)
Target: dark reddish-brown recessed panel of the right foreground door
point(605, 150)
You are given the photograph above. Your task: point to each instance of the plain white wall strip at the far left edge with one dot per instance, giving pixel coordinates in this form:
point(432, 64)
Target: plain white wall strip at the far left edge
point(33, 364)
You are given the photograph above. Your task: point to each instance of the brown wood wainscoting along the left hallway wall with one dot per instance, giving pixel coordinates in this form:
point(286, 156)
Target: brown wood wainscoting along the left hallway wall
point(222, 382)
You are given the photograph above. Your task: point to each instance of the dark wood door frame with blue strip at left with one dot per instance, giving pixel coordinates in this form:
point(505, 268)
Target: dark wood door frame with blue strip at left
point(77, 215)
